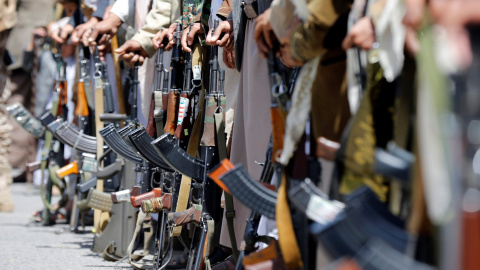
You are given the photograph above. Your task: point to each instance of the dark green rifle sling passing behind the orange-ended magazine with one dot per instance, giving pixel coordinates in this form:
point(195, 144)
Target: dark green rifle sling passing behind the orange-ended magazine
point(229, 207)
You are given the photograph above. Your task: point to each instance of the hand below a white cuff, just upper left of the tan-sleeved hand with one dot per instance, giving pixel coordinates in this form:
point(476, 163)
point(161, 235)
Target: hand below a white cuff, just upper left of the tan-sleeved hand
point(106, 29)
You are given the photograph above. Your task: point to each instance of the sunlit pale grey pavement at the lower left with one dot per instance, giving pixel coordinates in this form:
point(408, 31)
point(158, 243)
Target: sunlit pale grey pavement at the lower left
point(26, 245)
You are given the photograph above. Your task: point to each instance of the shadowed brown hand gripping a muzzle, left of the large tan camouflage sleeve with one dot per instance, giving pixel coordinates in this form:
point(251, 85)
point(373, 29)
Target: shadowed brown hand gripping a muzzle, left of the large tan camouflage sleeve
point(263, 34)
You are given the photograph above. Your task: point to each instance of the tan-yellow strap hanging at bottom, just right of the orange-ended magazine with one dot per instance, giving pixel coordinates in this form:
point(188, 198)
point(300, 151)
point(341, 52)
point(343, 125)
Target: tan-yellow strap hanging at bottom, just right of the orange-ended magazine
point(286, 234)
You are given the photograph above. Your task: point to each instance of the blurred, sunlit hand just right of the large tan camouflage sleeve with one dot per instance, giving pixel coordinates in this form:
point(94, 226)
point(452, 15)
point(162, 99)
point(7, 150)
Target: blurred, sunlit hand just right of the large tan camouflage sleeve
point(361, 35)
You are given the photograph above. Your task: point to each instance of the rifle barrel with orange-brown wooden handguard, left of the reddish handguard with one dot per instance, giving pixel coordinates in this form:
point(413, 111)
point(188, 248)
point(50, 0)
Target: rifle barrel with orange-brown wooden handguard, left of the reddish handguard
point(175, 83)
